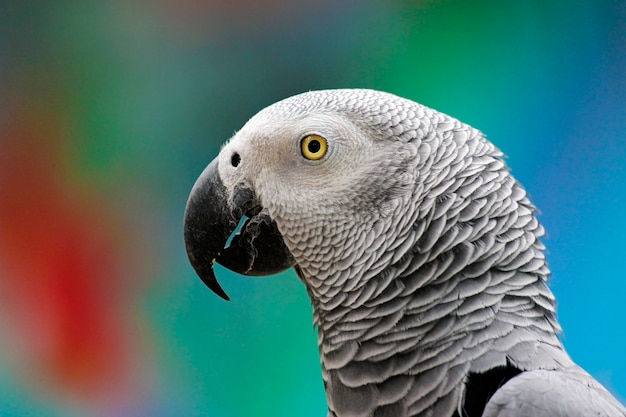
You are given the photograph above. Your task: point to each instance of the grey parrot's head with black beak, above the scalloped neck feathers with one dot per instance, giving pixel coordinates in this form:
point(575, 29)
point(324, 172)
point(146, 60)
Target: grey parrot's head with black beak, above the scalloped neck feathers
point(327, 180)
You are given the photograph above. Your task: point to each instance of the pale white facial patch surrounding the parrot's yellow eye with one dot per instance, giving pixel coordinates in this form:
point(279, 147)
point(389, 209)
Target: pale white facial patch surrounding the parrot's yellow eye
point(273, 164)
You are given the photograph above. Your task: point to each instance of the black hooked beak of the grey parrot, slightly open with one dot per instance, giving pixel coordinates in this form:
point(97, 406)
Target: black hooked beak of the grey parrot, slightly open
point(211, 216)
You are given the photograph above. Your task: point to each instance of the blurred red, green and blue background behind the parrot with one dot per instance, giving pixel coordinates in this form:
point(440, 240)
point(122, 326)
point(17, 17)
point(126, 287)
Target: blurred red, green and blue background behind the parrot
point(110, 110)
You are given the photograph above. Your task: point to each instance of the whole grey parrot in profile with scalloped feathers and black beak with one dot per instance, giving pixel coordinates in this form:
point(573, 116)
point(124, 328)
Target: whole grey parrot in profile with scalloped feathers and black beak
point(419, 251)
